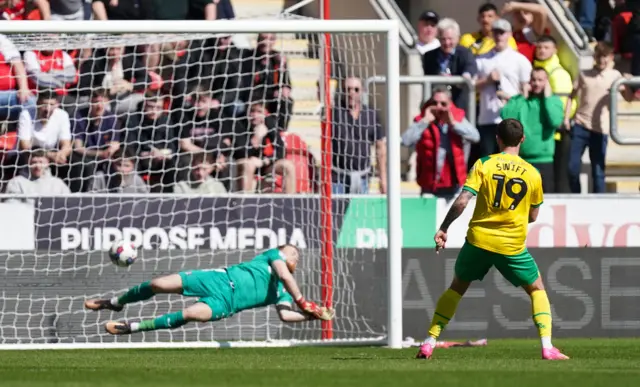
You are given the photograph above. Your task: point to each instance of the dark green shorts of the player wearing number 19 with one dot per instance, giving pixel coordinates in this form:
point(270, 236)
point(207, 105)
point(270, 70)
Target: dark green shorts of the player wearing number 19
point(473, 264)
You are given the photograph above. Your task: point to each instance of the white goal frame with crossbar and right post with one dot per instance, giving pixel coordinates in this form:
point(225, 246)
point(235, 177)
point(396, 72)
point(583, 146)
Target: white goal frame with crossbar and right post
point(392, 335)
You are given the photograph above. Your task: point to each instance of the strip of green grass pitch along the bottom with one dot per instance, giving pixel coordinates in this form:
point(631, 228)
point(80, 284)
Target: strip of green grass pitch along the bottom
point(512, 363)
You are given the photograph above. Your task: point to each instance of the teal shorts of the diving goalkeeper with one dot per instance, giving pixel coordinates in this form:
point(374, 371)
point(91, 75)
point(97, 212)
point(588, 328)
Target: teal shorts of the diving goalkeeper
point(213, 287)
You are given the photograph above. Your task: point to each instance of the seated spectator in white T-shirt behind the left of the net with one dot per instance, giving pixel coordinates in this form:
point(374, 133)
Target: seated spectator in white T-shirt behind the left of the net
point(48, 129)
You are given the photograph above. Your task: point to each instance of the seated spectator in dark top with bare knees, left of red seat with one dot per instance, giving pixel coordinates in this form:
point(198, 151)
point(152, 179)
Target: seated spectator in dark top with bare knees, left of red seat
point(261, 151)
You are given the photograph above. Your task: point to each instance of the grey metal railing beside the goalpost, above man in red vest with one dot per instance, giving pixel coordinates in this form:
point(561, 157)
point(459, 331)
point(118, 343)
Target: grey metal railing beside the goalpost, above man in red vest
point(427, 83)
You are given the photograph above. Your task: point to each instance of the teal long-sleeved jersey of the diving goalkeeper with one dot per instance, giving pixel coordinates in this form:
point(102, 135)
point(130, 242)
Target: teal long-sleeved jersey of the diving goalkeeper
point(255, 284)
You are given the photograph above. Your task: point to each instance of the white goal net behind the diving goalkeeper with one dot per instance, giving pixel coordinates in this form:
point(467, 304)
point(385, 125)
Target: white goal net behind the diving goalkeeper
point(203, 149)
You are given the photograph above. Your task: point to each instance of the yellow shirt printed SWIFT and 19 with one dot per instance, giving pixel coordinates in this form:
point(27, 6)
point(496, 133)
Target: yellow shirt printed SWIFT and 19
point(507, 187)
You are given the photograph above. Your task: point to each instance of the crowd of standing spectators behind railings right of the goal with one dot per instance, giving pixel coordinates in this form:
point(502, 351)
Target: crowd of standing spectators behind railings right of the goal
point(512, 59)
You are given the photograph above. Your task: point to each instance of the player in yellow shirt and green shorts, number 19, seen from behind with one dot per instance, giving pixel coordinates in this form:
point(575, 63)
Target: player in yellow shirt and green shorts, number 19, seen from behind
point(509, 194)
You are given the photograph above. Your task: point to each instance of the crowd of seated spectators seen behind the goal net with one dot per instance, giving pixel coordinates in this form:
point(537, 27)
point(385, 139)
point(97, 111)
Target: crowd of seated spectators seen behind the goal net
point(188, 116)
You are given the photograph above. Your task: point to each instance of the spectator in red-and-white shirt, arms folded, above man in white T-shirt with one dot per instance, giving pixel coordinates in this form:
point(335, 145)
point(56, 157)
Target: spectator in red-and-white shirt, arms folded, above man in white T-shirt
point(50, 69)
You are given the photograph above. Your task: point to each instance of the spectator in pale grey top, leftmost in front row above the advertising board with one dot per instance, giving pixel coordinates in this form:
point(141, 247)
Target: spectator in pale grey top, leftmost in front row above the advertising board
point(38, 181)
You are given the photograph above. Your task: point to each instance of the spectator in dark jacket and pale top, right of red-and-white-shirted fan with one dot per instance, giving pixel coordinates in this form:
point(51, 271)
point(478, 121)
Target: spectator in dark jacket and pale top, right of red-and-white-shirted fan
point(123, 76)
